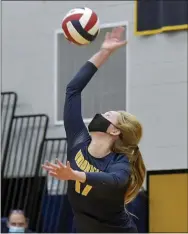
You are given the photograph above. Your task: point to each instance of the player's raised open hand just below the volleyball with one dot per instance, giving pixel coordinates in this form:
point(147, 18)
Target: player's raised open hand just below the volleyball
point(113, 40)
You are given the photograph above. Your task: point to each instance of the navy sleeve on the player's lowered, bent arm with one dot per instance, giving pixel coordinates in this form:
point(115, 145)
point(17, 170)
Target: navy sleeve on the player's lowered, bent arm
point(117, 176)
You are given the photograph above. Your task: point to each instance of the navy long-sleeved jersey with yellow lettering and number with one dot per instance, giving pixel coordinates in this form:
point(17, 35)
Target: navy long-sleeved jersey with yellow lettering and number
point(98, 204)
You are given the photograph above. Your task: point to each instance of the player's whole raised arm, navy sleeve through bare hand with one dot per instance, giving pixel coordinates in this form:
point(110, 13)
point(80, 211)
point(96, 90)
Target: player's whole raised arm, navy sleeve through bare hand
point(74, 126)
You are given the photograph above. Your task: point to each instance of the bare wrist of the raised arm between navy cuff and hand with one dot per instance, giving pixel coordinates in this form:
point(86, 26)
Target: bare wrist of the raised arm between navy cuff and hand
point(100, 58)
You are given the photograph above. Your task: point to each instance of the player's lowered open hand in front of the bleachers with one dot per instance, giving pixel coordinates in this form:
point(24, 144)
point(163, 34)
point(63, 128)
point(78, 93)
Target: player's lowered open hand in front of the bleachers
point(59, 170)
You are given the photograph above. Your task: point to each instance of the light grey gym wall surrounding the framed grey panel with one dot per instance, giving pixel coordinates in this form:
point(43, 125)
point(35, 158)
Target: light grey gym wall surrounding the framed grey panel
point(157, 75)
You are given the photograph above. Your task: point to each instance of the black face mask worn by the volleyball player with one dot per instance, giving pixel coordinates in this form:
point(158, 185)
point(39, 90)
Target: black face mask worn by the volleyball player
point(99, 124)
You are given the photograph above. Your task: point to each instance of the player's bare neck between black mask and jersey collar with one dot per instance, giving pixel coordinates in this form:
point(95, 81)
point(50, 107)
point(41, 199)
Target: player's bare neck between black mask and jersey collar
point(100, 146)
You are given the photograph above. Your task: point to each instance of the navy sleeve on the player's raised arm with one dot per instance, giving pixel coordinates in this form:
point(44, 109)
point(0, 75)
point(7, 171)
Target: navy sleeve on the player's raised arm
point(75, 128)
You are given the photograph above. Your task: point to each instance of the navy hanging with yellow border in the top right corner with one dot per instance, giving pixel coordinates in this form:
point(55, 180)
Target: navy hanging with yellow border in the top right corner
point(155, 16)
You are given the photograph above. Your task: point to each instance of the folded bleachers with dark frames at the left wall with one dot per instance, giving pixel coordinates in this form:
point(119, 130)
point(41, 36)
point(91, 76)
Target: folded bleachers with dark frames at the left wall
point(25, 147)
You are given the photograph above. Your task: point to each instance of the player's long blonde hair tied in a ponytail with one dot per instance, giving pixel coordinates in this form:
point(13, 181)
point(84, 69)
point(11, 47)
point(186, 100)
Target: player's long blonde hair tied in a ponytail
point(127, 143)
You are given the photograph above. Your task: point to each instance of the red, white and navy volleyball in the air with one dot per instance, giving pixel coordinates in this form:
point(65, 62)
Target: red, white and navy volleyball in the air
point(81, 26)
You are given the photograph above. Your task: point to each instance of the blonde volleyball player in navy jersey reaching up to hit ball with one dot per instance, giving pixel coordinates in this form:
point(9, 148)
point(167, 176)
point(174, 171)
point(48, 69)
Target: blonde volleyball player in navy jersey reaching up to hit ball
point(105, 168)
